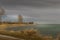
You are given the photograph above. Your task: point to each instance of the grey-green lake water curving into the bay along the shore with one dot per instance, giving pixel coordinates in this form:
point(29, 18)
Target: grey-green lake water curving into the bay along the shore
point(47, 29)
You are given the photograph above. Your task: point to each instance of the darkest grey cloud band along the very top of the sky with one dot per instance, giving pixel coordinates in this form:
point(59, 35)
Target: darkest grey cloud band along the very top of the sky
point(33, 3)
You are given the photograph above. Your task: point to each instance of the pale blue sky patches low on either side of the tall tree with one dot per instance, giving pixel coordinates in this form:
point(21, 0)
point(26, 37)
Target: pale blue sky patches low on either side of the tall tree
point(15, 18)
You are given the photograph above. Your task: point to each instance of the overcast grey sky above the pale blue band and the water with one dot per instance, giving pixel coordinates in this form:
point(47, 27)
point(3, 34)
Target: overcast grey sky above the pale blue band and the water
point(46, 11)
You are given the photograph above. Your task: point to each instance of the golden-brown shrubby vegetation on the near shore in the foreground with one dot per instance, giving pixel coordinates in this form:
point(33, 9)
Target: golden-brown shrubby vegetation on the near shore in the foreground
point(27, 35)
